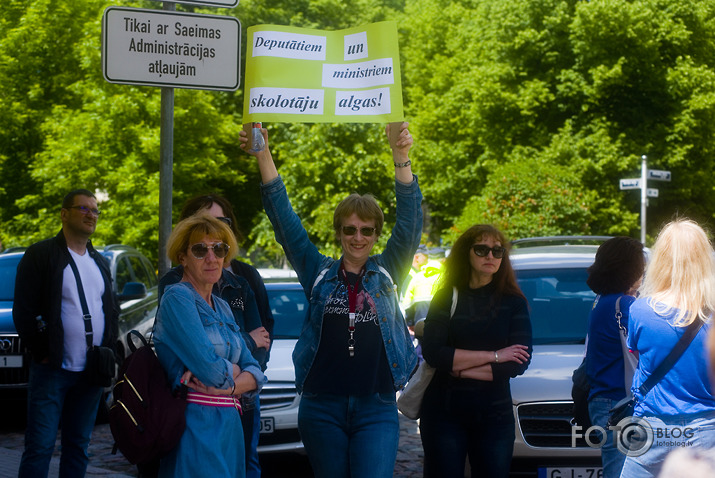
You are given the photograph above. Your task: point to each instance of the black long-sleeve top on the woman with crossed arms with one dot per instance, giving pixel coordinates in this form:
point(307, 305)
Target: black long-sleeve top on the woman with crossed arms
point(482, 320)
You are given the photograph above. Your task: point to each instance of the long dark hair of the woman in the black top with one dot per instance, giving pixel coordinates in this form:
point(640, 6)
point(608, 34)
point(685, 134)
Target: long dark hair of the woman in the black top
point(458, 269)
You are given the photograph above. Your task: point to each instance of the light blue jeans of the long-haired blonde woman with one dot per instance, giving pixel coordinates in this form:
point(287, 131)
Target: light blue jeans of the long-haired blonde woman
point(669, 434)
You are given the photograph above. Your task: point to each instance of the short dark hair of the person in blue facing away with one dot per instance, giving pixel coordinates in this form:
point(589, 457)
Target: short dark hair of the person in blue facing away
point(619, 264)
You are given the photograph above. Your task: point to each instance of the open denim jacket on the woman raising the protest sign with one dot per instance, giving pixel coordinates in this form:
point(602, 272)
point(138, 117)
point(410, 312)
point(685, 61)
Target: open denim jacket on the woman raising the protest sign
point(318, 274)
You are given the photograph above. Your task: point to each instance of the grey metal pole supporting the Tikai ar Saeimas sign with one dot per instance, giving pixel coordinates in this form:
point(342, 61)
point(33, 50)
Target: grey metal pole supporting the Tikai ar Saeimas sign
point(166, 169)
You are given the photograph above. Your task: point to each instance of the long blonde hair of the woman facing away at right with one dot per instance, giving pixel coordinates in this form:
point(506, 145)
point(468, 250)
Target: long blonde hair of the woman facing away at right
point(681, 273)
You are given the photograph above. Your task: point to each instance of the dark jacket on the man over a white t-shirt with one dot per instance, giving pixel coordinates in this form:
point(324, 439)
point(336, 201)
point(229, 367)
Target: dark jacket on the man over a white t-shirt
point(38, 293)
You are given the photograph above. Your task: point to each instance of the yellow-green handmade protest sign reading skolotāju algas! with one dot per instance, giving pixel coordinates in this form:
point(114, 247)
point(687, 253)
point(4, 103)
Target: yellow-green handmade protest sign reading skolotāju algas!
point(318, 76)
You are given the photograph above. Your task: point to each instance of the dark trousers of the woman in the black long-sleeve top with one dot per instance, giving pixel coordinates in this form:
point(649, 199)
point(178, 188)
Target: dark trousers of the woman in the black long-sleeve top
point(451, 433)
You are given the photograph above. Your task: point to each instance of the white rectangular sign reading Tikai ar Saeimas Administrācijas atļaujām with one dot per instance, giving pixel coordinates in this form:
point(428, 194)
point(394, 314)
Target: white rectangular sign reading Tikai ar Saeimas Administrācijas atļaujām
point(166, 48)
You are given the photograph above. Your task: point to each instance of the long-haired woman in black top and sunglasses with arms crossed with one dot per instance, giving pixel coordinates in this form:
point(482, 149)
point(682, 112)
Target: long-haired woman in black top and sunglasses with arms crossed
point(467, 410)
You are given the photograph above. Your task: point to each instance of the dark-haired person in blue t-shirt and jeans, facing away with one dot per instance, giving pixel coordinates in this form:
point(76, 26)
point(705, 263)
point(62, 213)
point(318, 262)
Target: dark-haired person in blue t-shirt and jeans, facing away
point(614, 276)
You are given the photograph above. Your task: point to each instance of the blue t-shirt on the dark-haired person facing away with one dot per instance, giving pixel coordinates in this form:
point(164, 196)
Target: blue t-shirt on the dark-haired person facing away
point(604, 356)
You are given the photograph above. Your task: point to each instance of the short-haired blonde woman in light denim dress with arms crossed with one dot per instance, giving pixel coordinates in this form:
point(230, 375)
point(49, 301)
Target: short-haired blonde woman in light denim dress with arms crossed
point(199, 345)
